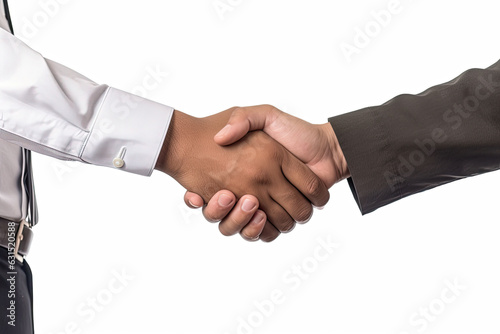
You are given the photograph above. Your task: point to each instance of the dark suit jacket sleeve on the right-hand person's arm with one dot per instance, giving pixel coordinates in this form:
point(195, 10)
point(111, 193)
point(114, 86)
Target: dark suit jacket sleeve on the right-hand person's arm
point(417, 142)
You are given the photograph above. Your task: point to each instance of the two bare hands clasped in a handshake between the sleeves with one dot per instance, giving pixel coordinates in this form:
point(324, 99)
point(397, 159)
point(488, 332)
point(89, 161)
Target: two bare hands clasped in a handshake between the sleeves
point(259, 170)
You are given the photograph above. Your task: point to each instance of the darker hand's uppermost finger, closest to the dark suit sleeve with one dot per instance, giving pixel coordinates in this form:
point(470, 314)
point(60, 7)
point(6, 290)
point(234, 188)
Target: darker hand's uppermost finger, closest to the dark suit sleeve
point(305, 181)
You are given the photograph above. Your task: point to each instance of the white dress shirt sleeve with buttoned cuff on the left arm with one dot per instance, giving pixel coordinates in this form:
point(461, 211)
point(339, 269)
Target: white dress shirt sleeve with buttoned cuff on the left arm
point(51, 109)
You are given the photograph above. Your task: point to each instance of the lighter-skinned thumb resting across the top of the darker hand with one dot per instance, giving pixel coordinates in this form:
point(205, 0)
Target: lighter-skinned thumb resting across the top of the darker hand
point(244, 120)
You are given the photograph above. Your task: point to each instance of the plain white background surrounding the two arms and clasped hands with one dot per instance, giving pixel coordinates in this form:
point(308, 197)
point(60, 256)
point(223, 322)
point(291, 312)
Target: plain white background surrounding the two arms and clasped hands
point(389, 265)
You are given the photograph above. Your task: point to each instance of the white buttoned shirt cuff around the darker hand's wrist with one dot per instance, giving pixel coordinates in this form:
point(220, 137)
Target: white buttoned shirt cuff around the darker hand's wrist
point(128, 133)
